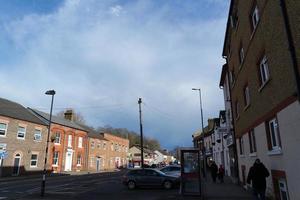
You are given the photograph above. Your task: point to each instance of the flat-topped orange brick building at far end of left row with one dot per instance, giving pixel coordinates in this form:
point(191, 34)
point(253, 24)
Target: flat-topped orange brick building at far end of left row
point(117, 149)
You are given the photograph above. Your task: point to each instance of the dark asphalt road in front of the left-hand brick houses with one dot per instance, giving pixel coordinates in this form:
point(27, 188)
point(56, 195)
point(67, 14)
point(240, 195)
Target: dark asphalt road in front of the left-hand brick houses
point(89, 186)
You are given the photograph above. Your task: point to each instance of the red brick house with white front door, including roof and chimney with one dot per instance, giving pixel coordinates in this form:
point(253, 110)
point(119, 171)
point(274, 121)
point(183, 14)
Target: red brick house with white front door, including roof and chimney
point(69, 143)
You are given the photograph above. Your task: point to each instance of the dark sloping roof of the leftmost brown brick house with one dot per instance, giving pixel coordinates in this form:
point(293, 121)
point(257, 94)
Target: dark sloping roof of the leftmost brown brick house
point(17, 111)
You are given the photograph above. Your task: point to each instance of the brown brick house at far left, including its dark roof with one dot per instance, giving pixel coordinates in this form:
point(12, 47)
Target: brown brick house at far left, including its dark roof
point(22, 140)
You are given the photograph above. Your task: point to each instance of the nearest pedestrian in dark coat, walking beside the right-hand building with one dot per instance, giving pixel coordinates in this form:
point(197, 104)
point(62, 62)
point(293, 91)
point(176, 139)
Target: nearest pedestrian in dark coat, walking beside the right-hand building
point(257, 175)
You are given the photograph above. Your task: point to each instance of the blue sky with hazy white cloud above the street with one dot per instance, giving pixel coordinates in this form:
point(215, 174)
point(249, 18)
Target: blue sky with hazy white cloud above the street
point(101, 56)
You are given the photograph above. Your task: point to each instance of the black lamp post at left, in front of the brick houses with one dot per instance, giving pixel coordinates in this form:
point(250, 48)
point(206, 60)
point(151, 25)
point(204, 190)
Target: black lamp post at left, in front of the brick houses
point(52, 93)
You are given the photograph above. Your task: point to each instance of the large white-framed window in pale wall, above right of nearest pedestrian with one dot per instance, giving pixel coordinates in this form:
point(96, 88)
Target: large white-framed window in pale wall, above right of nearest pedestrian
point(273, 134)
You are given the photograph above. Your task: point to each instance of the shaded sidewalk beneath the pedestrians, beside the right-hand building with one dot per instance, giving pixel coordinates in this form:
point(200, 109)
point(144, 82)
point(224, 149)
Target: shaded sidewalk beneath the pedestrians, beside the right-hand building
point(221, 191)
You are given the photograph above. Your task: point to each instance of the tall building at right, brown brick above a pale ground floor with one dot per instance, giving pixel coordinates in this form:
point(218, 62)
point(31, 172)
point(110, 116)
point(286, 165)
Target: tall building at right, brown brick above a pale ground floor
point(262, 51)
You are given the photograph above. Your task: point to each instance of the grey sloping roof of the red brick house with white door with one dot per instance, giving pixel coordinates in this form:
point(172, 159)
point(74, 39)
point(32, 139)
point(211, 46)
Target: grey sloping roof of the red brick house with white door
point(57, 120)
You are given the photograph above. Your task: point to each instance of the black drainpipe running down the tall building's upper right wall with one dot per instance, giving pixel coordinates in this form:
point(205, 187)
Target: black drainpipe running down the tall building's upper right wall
point(291, 45)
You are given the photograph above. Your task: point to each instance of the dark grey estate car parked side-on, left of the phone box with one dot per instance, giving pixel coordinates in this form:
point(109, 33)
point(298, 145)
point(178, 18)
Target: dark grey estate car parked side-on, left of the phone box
point(149, 178)
